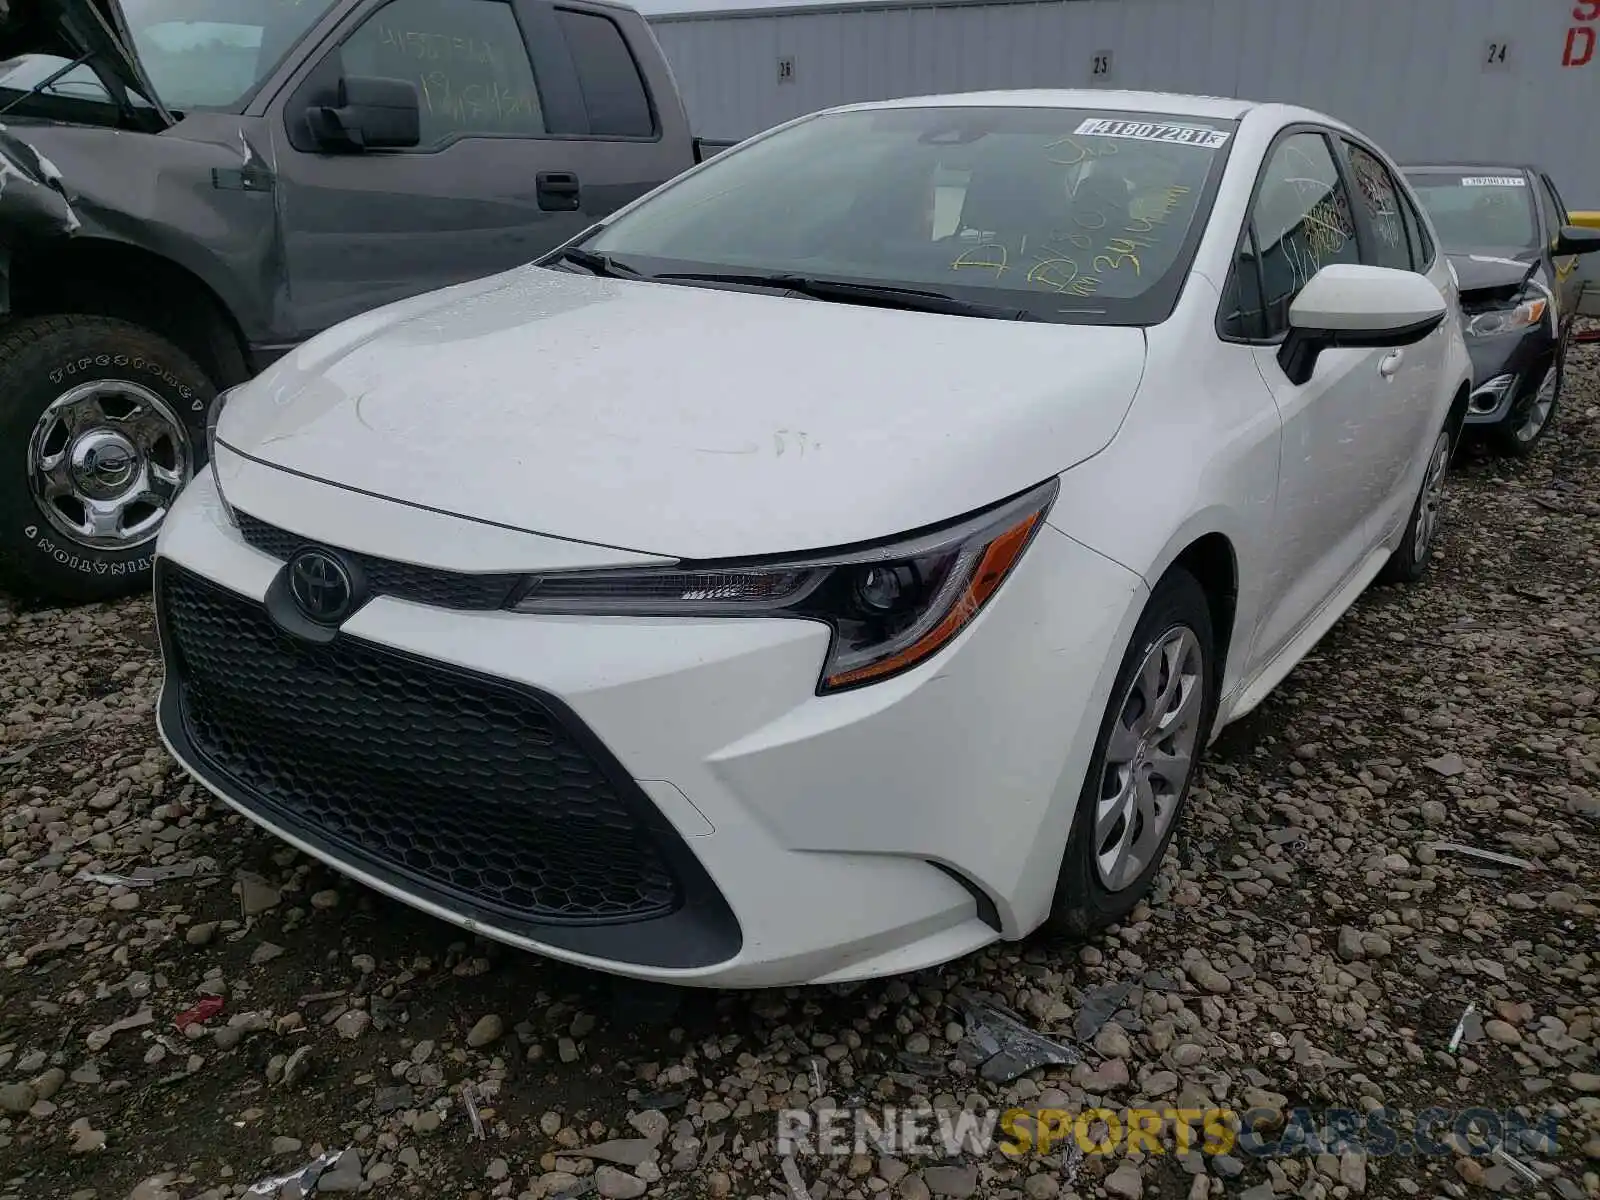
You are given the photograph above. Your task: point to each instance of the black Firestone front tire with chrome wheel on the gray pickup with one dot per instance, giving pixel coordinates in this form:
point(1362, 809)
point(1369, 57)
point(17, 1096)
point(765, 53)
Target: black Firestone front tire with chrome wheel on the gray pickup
point(92, 412)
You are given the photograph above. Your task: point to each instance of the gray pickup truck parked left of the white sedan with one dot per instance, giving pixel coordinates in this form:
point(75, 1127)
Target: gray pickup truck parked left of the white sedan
point(193, 188)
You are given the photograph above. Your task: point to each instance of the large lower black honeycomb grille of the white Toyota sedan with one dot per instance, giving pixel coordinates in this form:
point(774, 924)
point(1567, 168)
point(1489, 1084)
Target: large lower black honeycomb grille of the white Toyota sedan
point(476, 790)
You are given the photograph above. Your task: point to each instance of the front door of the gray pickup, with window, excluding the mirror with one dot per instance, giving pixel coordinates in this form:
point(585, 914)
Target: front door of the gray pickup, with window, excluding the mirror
point(362, 230)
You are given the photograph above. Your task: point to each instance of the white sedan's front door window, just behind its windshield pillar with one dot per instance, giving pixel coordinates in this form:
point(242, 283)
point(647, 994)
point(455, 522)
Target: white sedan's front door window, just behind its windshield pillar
point(1298, 225)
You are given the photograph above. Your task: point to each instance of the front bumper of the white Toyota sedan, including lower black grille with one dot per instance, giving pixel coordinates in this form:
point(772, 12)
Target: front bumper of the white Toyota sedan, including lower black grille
point(762, 834)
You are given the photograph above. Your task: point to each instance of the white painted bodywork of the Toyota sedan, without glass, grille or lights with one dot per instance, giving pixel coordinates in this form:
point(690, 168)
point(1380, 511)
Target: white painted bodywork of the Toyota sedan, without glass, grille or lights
point(542, 423)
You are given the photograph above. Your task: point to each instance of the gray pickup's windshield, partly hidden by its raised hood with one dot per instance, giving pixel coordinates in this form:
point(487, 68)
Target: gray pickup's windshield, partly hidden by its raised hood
point(198, 54)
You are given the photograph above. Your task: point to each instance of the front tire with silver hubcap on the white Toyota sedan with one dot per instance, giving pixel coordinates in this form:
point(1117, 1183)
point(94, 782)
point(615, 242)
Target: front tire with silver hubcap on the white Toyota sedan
point(1089, 895)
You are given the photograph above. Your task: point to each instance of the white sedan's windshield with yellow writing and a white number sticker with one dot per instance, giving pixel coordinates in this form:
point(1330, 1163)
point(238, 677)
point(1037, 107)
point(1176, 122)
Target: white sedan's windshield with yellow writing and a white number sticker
point(1065, 215)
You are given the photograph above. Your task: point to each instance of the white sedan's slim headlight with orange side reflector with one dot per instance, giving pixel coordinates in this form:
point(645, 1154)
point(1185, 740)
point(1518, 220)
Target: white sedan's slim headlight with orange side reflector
point(890, 607)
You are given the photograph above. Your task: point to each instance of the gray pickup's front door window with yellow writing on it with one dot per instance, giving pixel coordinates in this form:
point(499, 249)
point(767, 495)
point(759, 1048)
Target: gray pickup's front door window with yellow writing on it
point(468, 60)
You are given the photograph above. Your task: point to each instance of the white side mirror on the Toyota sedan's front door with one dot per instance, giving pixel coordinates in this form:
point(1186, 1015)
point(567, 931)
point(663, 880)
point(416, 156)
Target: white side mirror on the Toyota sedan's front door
point(1358, 308)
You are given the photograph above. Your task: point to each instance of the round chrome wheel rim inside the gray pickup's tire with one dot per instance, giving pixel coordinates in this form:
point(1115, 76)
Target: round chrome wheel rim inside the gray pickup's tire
point(106, 462)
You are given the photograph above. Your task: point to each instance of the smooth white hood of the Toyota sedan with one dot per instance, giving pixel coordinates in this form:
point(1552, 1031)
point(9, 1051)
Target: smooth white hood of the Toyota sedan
point(686, 422)
